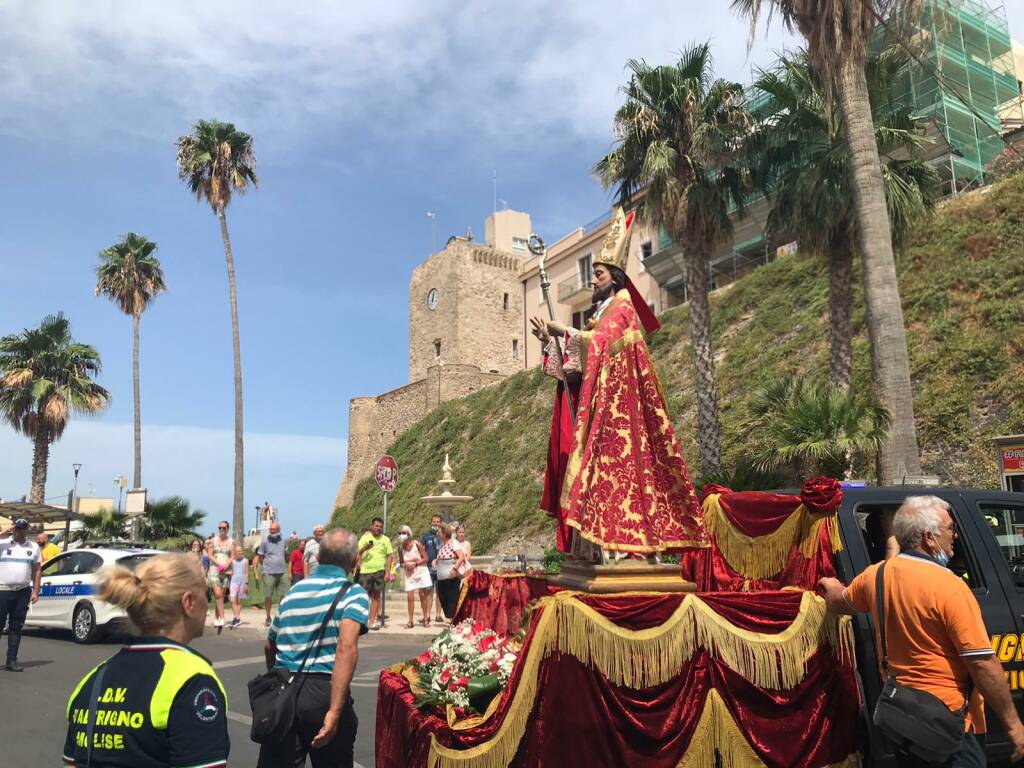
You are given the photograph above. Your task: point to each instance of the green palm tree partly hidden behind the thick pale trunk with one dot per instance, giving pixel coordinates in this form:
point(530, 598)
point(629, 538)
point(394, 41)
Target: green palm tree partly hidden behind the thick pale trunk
point(806, 170)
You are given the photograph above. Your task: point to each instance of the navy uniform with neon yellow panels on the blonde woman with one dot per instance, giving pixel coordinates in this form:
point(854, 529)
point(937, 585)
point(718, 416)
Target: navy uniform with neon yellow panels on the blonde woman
point(160, 705)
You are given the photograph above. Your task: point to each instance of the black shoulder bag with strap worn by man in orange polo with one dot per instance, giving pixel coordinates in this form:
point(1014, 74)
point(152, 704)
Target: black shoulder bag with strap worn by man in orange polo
point(914, 720)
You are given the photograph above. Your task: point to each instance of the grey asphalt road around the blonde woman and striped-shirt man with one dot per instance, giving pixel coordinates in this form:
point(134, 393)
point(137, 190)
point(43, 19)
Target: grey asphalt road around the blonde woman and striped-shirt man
point(32, 718)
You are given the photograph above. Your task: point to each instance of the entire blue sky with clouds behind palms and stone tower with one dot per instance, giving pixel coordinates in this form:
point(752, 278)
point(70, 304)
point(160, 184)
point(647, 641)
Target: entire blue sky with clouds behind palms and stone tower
point(363, 122)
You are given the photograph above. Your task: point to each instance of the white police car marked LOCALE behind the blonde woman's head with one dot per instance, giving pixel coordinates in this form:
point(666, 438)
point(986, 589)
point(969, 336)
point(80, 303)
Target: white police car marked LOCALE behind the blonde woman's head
point(68, 591)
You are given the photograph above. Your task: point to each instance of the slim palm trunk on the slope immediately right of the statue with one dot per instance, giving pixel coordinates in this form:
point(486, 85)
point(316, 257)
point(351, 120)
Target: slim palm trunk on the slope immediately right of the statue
point(709, 430)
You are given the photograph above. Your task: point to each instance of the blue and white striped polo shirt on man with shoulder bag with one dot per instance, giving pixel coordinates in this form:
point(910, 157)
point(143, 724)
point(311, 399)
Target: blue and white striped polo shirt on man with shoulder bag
point(302, 614)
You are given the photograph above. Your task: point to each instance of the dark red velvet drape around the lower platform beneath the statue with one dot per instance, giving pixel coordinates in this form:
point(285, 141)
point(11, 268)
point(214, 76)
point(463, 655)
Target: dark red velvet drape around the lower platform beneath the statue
point(580, 718)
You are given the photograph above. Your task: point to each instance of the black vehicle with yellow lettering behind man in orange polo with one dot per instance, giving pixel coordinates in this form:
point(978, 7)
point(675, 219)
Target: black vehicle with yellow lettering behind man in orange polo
point(989, 554)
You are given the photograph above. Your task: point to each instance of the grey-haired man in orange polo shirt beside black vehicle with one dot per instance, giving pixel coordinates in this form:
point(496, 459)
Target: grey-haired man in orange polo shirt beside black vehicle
point(936, 639)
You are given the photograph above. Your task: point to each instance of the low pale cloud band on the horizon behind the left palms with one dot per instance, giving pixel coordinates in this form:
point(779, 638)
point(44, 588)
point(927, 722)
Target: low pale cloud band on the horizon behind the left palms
point(297, 474)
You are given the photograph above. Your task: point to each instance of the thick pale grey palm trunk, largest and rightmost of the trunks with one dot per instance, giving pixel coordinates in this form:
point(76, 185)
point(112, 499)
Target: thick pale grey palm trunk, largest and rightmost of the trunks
point(890, 362)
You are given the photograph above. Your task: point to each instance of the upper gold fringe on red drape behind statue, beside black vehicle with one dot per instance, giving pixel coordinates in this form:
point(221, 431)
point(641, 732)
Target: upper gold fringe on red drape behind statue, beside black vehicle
point(765, 557)
